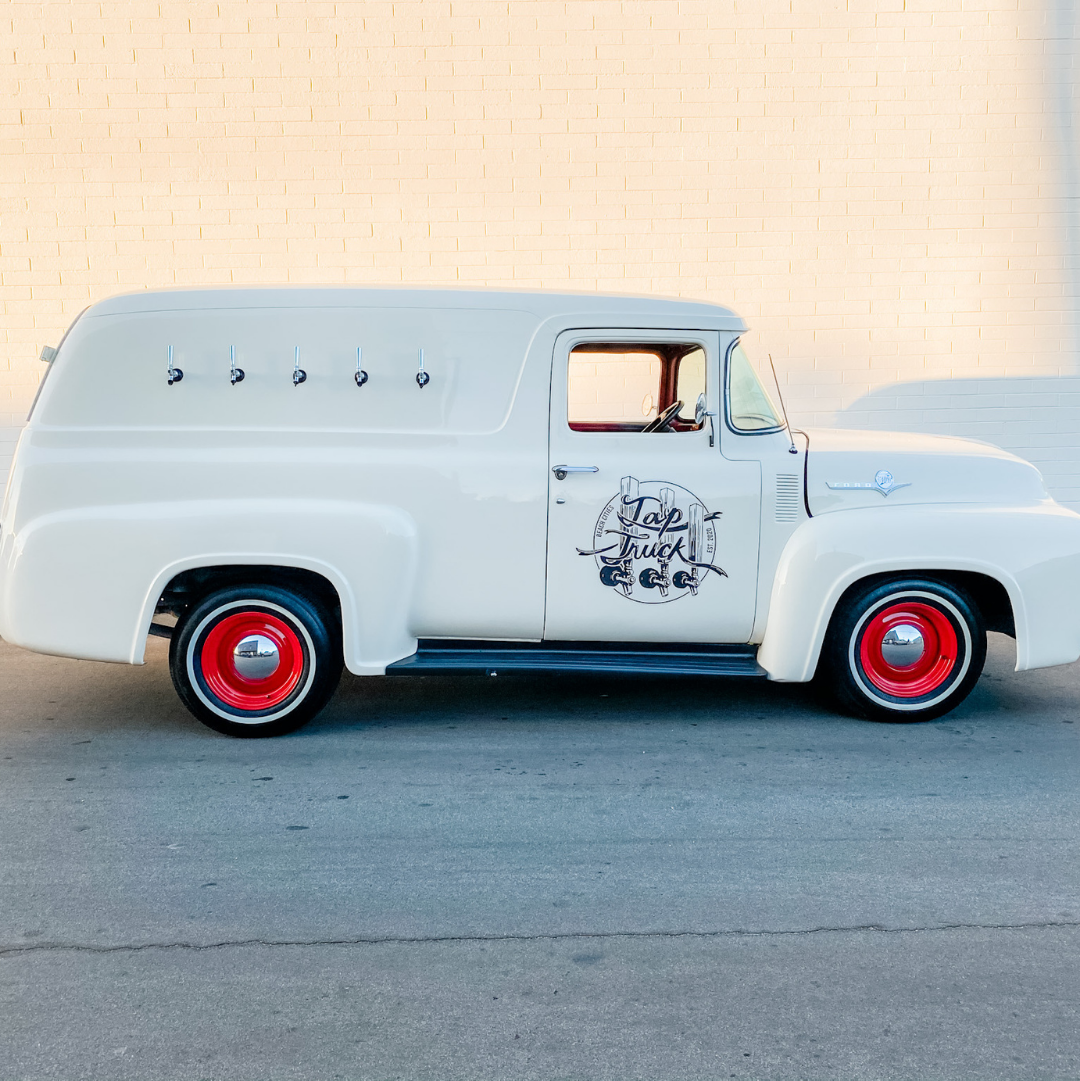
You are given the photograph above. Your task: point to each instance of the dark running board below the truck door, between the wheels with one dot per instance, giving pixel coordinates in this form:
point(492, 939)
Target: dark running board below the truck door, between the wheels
point(445, 656)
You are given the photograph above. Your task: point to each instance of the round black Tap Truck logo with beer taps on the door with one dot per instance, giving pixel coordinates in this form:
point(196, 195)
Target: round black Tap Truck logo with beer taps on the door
point(655, 542)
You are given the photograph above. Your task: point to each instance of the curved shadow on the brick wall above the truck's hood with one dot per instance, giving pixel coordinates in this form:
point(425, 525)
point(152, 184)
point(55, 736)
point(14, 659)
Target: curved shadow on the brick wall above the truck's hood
point(1037, 418)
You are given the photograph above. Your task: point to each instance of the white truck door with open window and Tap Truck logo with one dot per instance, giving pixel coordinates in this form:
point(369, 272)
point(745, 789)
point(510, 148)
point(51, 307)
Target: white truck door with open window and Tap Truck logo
point(652, 533)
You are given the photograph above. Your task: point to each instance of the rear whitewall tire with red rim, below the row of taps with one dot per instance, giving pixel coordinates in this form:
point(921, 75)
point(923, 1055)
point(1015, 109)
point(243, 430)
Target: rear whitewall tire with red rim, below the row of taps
point(243, 693)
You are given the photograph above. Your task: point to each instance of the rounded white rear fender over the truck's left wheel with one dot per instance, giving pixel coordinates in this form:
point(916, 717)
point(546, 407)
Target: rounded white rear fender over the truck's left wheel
point(85, 583)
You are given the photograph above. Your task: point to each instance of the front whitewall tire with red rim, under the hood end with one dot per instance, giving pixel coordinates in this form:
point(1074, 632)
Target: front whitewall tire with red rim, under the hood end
point(875, 623)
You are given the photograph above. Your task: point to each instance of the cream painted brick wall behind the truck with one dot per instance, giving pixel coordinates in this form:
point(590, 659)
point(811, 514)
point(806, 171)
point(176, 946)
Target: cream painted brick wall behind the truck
point(888, 190)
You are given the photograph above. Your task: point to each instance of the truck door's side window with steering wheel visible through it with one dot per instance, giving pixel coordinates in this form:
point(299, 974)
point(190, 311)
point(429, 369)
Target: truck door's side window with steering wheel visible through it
point(647, 388)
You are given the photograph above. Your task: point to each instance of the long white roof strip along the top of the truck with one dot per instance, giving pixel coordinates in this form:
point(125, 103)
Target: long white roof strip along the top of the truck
point(543, 304)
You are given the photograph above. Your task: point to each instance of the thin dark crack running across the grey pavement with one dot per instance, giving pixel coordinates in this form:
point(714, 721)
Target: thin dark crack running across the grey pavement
point(554, 937)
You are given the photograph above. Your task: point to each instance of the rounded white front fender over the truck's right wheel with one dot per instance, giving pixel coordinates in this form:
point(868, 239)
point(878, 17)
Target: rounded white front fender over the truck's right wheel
point(1033, 551)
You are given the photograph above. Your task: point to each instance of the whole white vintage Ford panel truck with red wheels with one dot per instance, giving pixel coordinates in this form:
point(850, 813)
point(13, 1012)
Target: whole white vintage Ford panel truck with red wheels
point(412, 482)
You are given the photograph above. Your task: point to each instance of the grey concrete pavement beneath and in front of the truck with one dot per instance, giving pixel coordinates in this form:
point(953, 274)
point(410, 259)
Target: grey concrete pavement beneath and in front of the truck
point(538, 878)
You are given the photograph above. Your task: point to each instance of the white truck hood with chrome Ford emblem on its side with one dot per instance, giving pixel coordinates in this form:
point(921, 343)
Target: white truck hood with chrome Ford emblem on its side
point(856, 470)
